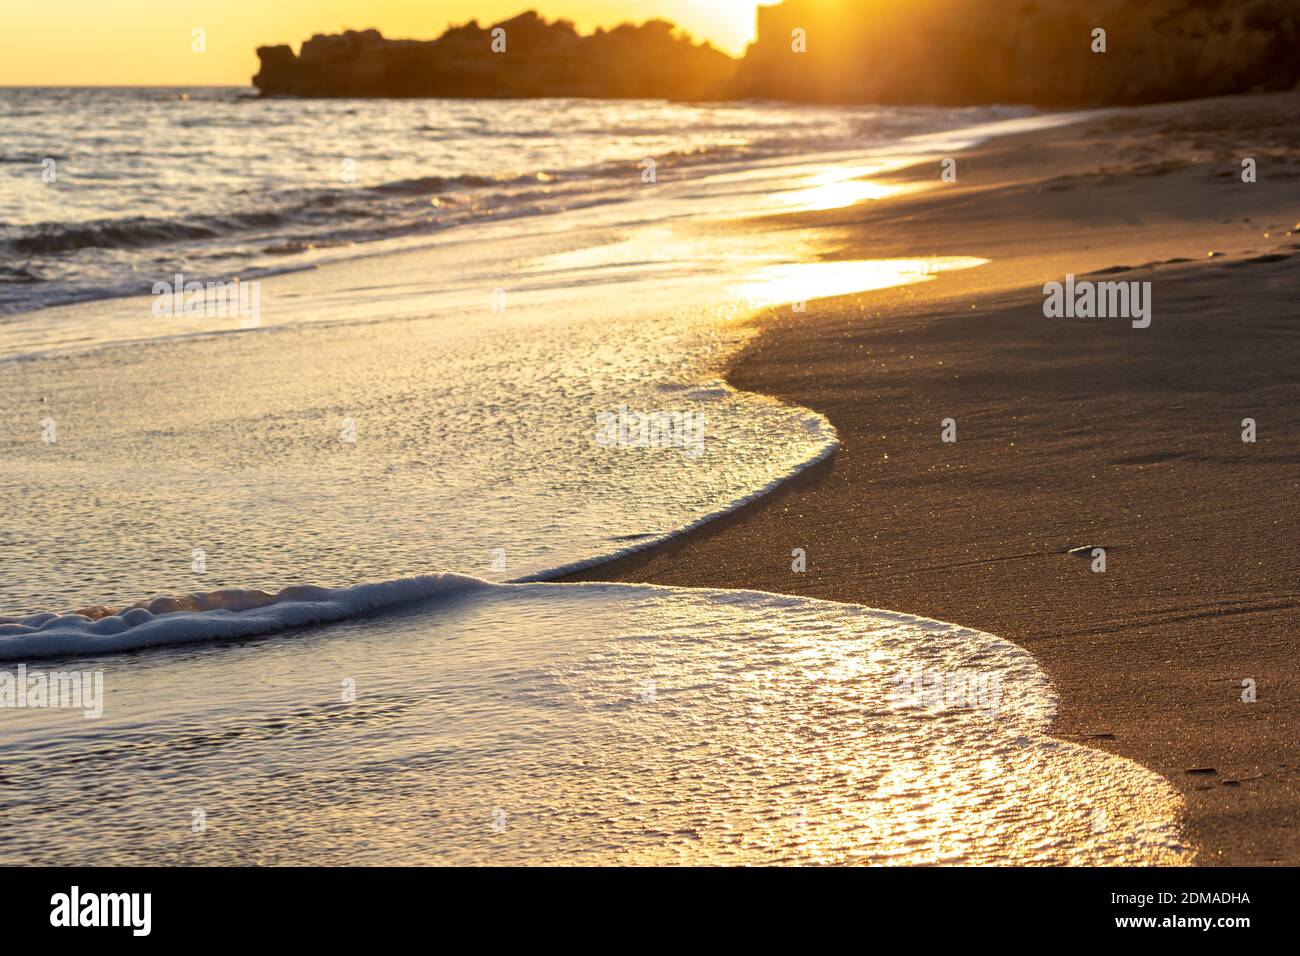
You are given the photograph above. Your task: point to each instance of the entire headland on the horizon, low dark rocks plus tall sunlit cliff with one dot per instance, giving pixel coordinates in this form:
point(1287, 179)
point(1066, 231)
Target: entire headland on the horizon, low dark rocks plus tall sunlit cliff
point(947, 53)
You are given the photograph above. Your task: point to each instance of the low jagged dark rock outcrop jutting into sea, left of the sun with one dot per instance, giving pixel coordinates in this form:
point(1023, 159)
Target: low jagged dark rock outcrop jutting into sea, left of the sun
point(540, 59)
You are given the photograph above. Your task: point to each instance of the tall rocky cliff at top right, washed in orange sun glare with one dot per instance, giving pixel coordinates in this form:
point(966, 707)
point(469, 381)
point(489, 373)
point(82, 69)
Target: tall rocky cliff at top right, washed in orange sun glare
point(1021, 51)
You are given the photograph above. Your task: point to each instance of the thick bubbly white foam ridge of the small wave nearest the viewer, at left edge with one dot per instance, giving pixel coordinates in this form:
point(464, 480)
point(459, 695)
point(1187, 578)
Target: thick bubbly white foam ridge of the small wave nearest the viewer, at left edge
point(211, 616)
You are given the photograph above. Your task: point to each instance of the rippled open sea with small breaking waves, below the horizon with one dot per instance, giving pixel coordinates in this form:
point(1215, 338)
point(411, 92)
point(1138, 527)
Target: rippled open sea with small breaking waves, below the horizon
point(103, 189)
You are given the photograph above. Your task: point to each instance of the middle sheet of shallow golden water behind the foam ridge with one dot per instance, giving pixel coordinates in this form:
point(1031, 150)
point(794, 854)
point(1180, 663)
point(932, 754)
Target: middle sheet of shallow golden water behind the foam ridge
point(431, 409)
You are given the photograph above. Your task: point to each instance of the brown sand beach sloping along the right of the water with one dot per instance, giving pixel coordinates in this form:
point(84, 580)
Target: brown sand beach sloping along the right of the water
point(1071, 434)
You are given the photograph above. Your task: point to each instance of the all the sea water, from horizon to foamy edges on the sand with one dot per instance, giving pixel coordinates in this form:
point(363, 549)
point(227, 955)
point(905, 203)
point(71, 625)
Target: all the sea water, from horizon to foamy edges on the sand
point(310, 546)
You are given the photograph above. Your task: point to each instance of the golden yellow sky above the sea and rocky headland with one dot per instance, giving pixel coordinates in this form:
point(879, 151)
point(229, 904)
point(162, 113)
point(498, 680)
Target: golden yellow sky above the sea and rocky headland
point(148, 42)
